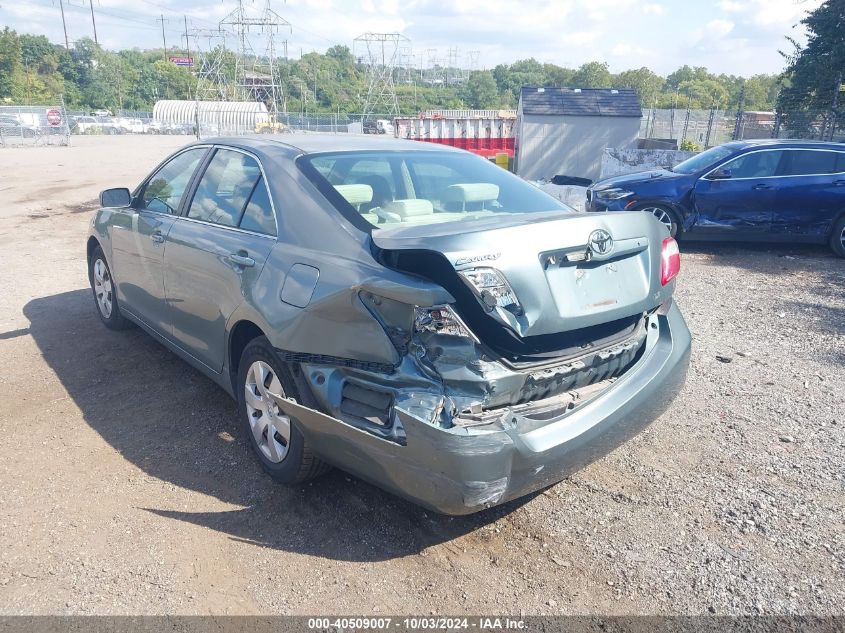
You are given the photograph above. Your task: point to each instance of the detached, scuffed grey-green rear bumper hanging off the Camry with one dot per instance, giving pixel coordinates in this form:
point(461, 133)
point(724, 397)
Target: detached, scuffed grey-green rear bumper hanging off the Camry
point(463, 469)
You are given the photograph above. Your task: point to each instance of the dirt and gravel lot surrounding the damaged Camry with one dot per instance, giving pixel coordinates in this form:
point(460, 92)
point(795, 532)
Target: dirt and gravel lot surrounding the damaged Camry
point(127, 487)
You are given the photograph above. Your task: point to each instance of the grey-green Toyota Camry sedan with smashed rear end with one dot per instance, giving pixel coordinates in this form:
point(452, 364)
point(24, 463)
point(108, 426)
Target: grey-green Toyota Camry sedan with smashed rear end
point(410, 313)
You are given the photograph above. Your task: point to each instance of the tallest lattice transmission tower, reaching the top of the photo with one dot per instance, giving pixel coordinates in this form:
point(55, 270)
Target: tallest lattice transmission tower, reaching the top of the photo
point(256, 72)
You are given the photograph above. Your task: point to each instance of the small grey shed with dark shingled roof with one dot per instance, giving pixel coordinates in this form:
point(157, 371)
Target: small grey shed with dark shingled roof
point(565, 130)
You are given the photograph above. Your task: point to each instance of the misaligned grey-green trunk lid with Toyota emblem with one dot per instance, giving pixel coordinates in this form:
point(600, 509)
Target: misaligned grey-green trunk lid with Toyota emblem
point(568, 271)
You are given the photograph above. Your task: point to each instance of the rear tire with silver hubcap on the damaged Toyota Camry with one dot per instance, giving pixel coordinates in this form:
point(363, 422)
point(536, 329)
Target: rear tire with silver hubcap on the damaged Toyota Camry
point(278, 443)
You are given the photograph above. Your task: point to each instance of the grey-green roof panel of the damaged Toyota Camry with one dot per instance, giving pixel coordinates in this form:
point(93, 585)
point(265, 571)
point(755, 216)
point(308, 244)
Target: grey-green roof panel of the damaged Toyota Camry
point(316, 143)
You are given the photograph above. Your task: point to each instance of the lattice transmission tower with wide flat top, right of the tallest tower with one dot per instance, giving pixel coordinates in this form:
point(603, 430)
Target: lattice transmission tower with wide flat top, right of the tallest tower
point(380, 52)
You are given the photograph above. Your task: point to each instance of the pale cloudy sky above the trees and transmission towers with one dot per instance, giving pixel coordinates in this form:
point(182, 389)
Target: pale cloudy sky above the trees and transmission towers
point(731, 36)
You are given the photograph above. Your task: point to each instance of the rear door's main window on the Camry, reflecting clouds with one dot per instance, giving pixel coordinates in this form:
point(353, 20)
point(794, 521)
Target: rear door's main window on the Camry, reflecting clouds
point(225, 188)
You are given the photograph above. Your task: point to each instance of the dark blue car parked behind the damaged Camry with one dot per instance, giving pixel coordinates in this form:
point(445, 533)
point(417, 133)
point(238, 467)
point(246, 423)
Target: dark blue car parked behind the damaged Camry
point(777, 191)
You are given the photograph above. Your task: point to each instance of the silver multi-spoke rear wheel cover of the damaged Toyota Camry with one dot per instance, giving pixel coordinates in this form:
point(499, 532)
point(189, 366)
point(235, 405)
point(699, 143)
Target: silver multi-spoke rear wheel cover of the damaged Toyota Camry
point(270, 427)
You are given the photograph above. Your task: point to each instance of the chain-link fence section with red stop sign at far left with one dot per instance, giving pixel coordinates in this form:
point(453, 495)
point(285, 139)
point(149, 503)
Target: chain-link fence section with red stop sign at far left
point(26, 126)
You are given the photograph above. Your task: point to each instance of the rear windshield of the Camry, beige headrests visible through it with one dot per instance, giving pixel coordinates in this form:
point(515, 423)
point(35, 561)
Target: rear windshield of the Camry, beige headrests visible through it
point(388, 189)
